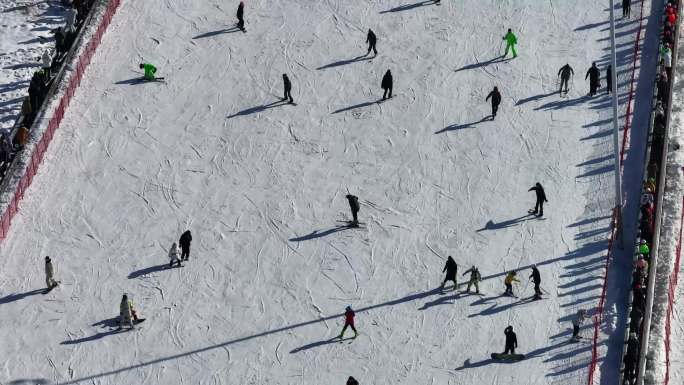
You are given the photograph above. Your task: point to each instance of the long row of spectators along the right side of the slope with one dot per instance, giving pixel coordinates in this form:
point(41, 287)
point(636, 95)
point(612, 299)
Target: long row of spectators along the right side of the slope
point(648, 202)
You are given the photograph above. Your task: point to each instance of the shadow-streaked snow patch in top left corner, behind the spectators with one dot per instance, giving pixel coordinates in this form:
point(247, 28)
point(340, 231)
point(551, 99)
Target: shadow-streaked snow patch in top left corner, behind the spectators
point(21, 25)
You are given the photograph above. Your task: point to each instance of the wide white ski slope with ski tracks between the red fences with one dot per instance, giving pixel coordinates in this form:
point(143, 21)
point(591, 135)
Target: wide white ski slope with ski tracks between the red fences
point(261, 185)
